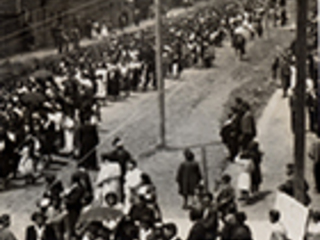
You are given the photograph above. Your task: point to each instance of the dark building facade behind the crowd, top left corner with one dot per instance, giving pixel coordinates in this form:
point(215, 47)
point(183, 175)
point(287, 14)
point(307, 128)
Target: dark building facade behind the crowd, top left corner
point(27, 24)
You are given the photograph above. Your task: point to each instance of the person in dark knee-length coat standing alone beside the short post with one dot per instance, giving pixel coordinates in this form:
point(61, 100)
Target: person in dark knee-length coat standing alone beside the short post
point(188, 177)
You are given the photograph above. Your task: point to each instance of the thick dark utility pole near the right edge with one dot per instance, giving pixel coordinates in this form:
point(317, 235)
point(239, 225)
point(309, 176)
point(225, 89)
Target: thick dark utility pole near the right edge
point(299, 138)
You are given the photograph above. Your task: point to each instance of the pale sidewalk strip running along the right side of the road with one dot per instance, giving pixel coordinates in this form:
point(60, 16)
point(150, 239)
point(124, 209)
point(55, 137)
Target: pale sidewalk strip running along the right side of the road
point(276, 141)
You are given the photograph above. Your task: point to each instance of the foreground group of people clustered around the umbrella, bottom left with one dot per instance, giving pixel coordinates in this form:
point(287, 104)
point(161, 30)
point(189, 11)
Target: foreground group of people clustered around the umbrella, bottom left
point(121, 203)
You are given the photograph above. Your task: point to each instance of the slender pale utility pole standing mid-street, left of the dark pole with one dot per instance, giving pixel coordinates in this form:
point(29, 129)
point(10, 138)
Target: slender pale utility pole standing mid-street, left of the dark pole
point(160, 81)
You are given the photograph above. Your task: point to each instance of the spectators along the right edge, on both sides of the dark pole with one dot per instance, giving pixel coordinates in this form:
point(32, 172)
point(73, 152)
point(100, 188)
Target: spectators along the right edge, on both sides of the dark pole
point(284, 70)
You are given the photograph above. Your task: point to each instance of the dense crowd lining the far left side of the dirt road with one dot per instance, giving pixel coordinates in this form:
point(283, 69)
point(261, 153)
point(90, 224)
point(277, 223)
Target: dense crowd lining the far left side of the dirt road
point(54, 108)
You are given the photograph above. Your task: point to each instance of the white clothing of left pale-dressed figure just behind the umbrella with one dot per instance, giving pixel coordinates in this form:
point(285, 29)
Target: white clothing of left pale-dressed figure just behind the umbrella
point(108, 180)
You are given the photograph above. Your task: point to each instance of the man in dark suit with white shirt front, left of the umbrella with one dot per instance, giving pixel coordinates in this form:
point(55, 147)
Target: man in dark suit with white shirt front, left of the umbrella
point(39, 231)
